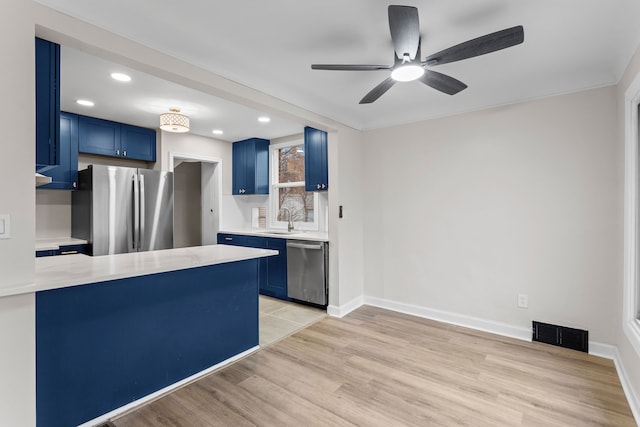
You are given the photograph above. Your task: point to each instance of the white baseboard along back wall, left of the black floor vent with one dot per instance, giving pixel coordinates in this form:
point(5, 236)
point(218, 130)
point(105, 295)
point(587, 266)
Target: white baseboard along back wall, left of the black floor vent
point(453, 318)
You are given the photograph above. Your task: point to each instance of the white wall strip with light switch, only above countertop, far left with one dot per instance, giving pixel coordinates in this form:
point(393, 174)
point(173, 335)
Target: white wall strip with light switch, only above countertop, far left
point(17, 162)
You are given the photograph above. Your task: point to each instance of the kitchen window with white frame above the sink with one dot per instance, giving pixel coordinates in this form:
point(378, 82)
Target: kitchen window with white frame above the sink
point(288, 195)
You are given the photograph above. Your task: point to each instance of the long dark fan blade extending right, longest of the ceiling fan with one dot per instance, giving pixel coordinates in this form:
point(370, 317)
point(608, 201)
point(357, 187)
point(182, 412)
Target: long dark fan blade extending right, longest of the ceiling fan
point(478, 46)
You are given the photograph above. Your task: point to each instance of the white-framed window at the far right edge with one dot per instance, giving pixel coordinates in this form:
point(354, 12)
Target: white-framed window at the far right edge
point(631, 303)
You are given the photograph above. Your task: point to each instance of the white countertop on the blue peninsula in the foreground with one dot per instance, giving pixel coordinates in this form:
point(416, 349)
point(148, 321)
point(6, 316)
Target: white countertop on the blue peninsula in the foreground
point(71, 270)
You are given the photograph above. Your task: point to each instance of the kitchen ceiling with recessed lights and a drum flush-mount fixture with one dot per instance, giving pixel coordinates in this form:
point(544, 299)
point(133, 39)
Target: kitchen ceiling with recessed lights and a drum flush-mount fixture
point(141, 101)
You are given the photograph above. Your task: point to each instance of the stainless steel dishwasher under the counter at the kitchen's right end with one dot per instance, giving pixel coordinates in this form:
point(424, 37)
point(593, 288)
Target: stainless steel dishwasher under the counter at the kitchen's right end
point(307, 271)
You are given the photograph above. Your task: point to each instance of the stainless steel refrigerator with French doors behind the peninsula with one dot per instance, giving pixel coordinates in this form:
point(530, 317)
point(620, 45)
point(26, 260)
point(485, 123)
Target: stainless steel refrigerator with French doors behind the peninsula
point(120, 209)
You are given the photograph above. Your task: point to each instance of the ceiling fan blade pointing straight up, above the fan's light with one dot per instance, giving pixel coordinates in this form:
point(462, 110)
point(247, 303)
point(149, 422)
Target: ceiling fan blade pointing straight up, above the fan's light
point(405, 30)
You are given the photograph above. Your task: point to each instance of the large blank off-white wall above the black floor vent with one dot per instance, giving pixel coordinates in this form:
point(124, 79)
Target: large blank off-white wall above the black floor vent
point(464, 213)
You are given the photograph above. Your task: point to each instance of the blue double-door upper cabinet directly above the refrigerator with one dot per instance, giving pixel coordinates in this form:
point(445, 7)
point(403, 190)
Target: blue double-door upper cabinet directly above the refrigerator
point(107, 138)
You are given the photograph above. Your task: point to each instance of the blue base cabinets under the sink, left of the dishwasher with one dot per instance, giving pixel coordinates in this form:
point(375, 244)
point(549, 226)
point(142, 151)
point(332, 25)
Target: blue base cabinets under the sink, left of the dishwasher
point(272, 271)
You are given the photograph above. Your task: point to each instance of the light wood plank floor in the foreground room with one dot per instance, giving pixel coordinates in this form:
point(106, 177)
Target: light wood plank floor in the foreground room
point(379, 368)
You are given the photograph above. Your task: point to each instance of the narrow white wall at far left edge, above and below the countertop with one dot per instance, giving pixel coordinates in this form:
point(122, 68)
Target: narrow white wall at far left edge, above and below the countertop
point(17, 198)
